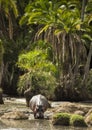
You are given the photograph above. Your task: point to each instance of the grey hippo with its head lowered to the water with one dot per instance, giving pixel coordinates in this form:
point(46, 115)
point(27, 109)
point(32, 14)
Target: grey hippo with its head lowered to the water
point(39, 105)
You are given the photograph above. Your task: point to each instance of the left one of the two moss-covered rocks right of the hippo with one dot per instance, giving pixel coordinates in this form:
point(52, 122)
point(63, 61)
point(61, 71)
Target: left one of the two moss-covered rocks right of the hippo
point(61, 119)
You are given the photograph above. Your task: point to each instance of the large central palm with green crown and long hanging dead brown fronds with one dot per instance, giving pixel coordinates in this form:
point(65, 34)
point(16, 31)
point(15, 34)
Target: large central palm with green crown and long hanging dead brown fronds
point(61, 23)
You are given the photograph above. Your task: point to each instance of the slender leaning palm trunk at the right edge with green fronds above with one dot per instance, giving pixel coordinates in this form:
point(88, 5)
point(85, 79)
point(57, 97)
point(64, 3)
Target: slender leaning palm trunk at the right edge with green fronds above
point(86, 9)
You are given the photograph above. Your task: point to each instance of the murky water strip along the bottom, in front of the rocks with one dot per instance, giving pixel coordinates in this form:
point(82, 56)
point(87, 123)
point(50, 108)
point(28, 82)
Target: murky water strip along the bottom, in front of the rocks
point(33, 125)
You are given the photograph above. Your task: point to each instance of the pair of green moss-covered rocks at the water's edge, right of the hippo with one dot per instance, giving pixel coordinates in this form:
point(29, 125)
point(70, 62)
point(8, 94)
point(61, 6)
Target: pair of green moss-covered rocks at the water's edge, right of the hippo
point(68, 119)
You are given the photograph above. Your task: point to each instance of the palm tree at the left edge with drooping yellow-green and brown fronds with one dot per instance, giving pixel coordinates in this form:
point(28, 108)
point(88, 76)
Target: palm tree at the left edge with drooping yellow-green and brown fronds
point(8, 13)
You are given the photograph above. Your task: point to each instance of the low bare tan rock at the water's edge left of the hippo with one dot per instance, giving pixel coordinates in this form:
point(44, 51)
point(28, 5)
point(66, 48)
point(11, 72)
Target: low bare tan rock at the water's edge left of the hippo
point(16, 115)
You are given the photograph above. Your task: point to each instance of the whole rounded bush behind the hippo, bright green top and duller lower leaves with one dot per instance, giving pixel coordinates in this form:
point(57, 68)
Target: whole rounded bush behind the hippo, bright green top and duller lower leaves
point(40, 72)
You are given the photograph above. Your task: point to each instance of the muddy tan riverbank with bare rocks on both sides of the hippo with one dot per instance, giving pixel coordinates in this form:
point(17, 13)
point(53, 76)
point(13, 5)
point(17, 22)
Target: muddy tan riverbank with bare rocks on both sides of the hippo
point(15, 110)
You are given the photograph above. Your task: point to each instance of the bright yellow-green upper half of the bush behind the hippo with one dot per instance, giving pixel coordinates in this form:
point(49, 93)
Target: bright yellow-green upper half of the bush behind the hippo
point(37, 59)
